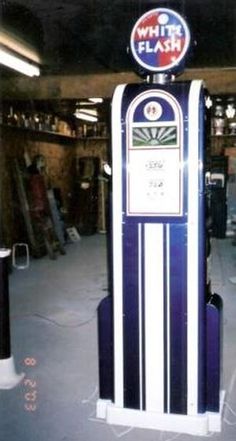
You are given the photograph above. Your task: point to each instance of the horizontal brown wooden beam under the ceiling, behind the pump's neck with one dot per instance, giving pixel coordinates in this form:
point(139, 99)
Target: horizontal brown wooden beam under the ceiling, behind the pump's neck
point(218, 81)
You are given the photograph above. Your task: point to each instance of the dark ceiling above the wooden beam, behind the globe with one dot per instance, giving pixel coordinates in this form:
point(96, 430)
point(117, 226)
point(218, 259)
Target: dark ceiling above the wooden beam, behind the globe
point(91, 36)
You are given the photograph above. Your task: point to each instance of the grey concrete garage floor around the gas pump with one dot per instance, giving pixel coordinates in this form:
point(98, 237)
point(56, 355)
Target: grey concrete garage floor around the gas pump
point(54, 342)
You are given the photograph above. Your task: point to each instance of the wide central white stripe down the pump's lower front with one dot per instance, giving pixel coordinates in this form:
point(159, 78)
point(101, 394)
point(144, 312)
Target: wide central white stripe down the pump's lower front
point(154, 326)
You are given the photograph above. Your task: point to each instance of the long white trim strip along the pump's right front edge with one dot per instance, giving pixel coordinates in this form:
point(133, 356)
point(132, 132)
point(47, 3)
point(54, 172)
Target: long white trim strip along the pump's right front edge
point(193, 243)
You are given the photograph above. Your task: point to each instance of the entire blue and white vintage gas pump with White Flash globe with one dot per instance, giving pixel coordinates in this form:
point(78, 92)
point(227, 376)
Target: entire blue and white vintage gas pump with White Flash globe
point(159, 332)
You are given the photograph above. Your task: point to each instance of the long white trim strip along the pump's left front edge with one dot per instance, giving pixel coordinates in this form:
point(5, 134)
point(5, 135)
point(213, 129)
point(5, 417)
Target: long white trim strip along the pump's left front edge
point(117, 245)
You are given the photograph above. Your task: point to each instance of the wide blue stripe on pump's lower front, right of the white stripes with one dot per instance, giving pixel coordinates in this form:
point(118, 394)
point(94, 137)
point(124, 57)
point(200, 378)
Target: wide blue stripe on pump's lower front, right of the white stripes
point(178, 319)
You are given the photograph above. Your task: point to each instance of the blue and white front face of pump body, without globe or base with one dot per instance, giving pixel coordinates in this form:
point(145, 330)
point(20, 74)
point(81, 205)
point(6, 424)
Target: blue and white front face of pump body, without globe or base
point(158, 248)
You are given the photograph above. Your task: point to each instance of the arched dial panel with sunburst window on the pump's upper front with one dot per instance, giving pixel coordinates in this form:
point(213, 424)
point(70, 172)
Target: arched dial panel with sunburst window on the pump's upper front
point(154, 154)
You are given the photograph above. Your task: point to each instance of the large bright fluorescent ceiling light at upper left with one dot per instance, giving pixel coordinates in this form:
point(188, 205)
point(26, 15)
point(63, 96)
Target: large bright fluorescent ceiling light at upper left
point(15, 62)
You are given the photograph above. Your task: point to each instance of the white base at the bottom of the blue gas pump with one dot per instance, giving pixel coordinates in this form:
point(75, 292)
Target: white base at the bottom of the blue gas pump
point(200, 424)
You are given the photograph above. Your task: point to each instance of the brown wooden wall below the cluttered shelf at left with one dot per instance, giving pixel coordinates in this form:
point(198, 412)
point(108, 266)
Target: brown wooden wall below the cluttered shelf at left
point(61, 159)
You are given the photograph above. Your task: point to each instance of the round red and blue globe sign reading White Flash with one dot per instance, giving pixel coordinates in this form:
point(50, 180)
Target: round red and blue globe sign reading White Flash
point(159, 40)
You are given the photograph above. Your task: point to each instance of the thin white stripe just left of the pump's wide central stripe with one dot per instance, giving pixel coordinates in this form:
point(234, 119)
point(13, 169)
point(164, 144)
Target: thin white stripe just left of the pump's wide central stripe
point(140, 251)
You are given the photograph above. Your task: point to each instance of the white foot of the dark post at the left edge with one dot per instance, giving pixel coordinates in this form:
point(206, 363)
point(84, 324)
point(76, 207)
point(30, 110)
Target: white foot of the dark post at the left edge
point(8, 376)
